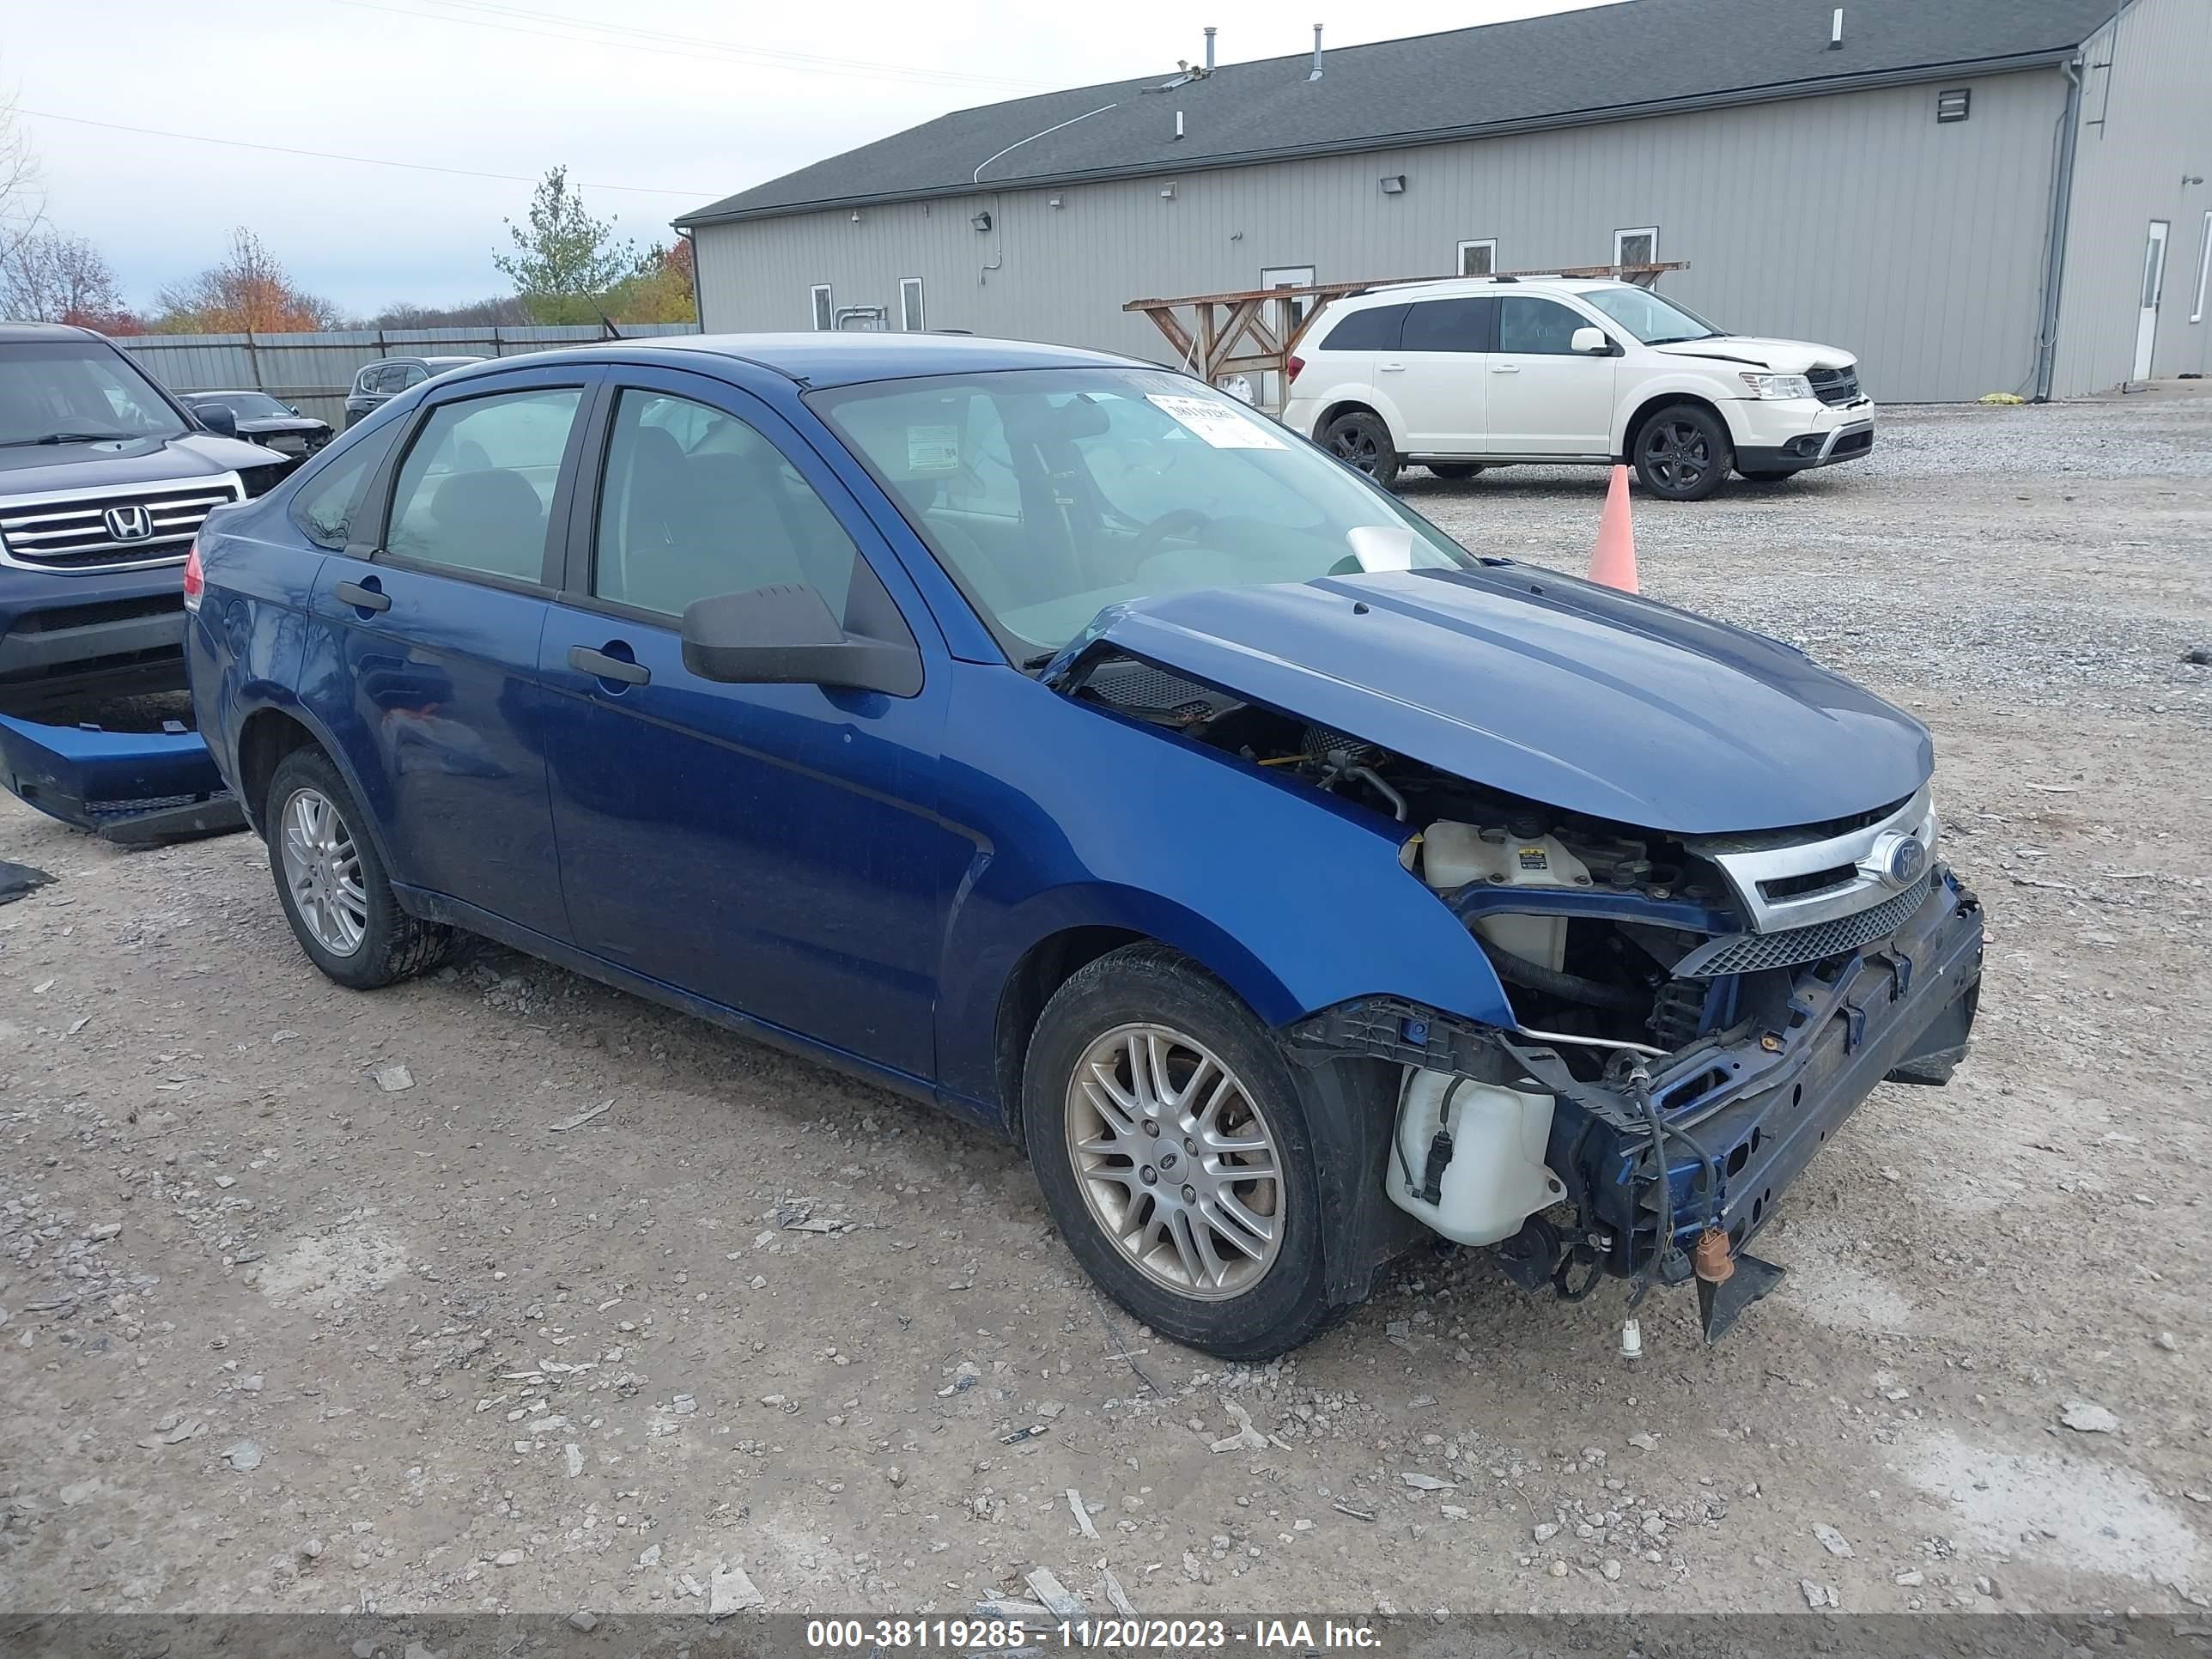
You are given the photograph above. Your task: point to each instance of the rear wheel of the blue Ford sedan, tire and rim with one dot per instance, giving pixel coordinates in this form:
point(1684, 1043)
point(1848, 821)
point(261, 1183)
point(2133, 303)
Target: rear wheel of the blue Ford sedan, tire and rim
point(333, 886)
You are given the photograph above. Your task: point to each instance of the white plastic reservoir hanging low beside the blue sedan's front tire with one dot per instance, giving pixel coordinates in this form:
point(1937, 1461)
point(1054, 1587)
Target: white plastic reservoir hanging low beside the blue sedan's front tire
point(1490, 1173)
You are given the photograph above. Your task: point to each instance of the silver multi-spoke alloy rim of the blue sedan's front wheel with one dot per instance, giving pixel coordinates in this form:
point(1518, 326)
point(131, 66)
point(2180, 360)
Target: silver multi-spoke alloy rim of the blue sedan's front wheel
point(1176, 1162)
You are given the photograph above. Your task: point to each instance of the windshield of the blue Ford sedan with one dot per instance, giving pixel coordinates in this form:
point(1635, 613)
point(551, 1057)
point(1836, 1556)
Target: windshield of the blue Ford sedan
point(1056, 492)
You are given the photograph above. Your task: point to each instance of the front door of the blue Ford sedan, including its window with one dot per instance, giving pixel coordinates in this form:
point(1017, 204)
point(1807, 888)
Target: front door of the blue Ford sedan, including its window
point(766, 848)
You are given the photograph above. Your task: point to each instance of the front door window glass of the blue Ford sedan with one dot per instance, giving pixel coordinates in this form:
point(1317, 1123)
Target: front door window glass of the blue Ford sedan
point(698, 503)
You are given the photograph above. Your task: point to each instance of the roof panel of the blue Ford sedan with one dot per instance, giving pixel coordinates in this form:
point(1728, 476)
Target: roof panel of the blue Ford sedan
point(824, 359)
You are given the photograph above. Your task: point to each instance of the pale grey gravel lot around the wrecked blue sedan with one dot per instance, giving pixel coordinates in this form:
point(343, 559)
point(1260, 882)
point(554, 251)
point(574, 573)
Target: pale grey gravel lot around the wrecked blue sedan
point(315, 1302)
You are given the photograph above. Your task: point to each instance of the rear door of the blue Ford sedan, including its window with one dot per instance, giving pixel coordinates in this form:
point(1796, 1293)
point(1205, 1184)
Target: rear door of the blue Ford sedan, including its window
point(424, 643)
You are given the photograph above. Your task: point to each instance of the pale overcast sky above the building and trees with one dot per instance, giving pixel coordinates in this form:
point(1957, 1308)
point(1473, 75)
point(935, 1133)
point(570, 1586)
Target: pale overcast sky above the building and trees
point(680, 101)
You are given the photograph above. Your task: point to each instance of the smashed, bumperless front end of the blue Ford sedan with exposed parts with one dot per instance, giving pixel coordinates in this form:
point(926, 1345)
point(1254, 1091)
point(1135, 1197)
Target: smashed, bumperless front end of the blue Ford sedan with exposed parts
point(1693, 1014)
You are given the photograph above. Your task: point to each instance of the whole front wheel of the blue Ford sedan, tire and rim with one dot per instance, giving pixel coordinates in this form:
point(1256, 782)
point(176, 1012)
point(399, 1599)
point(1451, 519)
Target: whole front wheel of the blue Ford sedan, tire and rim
point(1178, 1156)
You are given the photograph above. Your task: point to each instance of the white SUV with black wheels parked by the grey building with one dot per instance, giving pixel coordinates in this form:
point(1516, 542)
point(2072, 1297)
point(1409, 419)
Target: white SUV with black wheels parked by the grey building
point(1494, 371)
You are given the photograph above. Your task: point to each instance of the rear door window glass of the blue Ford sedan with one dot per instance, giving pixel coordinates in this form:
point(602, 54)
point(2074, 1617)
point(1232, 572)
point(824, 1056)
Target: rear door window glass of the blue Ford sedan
point(477, 488)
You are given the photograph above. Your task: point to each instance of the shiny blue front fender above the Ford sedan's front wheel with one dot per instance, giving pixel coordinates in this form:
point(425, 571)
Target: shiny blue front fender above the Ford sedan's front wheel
point(1087, 820)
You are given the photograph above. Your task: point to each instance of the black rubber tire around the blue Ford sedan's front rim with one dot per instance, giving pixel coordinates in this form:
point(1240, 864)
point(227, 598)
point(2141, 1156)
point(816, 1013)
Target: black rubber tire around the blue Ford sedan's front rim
point(1286, 1302)
